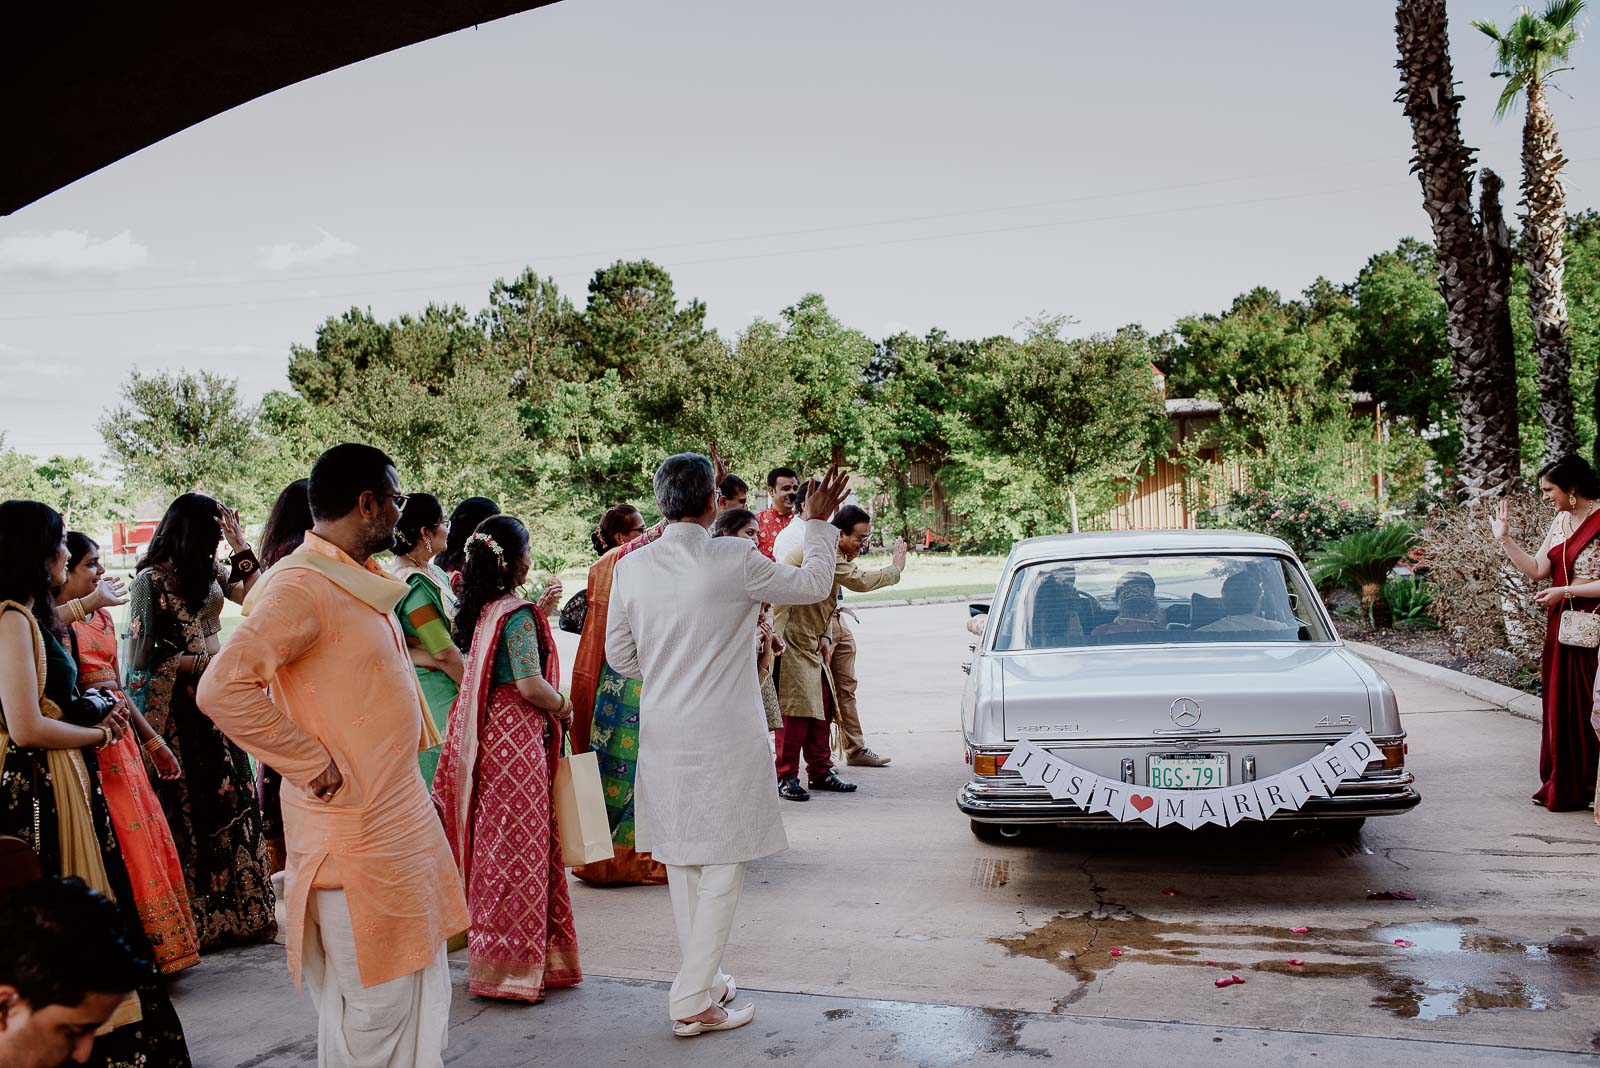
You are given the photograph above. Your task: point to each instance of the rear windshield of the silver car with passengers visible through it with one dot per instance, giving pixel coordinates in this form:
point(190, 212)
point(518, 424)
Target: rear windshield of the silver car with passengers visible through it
point(1158, 600)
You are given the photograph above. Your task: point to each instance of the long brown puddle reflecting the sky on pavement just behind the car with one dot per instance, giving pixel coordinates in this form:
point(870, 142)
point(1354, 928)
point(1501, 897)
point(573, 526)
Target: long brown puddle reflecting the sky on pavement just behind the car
point(1450, 970)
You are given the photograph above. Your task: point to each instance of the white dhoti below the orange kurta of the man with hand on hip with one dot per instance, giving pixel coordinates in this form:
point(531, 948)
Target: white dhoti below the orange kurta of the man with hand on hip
point(401, 1024)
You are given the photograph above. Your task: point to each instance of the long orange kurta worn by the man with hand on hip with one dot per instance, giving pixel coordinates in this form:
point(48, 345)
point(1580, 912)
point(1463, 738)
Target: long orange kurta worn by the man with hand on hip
point(343, 688)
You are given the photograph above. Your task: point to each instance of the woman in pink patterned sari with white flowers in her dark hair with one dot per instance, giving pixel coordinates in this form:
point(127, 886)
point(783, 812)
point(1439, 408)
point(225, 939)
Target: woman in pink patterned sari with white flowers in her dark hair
point(494, 781)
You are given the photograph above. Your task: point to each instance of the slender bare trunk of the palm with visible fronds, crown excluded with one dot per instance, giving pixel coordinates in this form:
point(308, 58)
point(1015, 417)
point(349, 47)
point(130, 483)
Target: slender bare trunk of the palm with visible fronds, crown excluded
point(1545, 197)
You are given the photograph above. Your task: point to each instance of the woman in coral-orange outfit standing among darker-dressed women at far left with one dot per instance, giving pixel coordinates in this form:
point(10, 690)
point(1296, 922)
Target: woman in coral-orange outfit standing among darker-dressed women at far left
point(135, 811)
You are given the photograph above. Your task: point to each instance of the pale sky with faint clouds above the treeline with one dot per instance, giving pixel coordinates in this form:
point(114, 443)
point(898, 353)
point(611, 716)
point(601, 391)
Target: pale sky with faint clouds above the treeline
point(922, 165)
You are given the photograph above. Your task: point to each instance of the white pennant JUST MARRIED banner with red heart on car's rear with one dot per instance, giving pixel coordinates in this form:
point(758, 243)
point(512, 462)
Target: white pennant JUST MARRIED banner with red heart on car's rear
point(1286, 792)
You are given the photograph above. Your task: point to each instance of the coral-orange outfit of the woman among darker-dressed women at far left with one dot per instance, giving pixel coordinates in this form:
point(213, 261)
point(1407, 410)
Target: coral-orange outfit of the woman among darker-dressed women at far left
point(146, 842)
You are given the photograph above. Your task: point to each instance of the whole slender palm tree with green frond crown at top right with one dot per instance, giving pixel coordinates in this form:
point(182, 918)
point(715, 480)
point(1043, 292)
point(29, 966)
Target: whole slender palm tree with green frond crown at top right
point(1527, 55)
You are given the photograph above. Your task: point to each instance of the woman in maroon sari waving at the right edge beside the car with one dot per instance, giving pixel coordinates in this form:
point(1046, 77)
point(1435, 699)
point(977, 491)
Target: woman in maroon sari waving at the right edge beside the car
point(1570, 559)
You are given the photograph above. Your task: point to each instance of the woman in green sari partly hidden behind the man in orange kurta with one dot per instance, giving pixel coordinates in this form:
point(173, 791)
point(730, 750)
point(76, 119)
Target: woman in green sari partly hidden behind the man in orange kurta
point(428, 612)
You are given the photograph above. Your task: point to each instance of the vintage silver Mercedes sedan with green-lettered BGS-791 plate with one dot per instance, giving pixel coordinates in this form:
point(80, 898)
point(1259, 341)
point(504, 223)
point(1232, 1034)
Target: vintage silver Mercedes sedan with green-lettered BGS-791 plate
point(1167, 660)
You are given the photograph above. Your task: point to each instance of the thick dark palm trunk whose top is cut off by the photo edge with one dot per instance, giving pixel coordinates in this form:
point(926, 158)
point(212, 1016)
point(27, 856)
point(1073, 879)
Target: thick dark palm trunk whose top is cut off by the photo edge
point(1490, 447)
